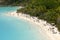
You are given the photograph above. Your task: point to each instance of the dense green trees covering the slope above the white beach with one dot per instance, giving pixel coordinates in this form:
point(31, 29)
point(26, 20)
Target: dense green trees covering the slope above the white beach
point(48, 10)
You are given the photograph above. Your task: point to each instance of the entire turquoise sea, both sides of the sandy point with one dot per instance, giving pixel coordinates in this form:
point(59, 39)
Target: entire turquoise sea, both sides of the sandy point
point(12, 28)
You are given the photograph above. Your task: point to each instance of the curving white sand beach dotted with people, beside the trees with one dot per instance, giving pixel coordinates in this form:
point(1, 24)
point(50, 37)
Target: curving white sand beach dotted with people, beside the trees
point(50, 31)
